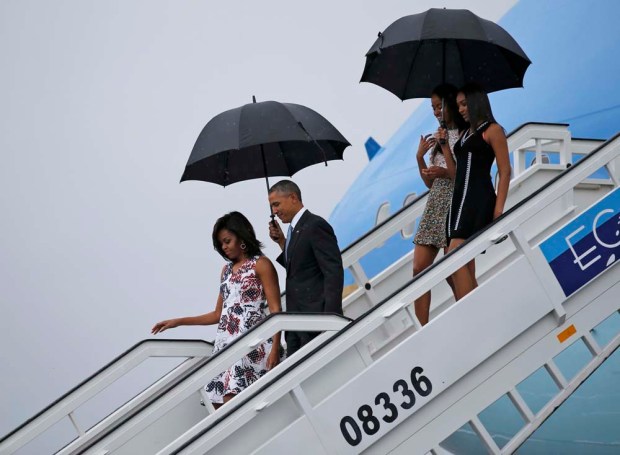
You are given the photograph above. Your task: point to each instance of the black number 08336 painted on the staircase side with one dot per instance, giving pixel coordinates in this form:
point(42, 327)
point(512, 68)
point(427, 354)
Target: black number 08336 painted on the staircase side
point(369, 420)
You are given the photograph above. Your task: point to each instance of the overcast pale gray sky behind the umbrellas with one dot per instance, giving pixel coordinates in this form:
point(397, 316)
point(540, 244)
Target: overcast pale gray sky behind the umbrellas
point(100, 105)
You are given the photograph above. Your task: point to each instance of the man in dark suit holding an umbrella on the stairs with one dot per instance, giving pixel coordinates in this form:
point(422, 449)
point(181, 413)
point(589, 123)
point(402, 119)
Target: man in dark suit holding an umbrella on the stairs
point(311, 256)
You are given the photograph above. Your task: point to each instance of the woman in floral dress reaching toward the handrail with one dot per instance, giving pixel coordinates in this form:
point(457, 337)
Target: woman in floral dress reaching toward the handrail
point(249, 290)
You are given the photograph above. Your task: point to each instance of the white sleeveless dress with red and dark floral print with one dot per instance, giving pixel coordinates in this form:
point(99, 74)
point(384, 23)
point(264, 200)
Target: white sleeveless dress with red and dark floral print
point(243, 306)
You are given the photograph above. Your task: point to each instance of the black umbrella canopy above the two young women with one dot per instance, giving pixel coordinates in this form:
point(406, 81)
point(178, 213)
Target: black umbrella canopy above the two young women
point(418, 52)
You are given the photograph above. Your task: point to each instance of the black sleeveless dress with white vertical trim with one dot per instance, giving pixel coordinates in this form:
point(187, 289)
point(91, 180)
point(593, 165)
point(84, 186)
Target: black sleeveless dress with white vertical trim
point(473, 200)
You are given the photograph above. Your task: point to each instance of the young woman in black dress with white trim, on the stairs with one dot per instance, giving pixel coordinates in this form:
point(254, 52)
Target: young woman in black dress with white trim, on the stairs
point(474, 203)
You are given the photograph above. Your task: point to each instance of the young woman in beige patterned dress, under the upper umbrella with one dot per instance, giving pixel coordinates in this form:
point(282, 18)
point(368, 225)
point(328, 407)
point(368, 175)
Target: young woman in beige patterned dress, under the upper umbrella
point(431, 234)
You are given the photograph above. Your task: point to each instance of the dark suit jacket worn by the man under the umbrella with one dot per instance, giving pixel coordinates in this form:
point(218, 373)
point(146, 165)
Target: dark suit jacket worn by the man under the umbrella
point(314, 274)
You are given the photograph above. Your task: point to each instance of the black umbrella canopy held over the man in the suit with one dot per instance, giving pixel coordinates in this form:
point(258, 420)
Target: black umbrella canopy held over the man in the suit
point(262, 140)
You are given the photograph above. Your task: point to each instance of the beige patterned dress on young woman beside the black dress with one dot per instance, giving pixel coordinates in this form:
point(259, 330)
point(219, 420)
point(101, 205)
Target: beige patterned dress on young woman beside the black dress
point(432, 227)
